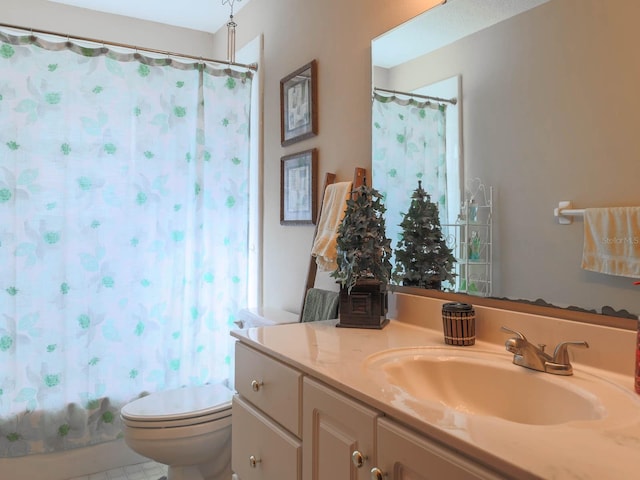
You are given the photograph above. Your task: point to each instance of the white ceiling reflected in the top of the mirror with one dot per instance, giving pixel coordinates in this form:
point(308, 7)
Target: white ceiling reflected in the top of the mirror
point(441, 26)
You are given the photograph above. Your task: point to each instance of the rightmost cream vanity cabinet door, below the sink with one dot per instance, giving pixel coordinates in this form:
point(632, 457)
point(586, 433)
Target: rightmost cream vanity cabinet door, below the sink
point(404, 455)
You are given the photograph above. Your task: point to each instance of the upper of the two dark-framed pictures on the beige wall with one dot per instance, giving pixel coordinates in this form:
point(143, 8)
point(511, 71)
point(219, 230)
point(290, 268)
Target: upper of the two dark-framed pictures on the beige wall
point(299, 105)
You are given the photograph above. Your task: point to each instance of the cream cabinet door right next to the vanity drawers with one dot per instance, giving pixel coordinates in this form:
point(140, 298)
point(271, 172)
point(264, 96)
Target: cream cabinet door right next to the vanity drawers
point(335, 430)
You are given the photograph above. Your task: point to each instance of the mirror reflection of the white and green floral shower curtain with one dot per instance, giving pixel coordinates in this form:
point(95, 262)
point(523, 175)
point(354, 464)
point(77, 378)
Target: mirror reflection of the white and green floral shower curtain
point(409, 144)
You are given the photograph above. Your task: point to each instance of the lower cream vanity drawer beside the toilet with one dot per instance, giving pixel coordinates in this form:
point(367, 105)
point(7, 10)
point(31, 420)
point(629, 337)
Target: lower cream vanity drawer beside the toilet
point(261, 448)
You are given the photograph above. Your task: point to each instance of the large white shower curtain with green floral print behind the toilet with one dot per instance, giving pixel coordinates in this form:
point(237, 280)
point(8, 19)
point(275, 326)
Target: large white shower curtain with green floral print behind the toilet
point(124, 221)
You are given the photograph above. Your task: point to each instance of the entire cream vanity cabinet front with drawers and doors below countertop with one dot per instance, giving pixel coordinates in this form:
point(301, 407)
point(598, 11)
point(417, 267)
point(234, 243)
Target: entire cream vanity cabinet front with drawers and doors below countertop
point(289, 426)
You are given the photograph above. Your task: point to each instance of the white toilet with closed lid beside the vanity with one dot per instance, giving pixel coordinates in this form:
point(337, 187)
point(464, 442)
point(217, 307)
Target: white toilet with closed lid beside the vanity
point(188, 429)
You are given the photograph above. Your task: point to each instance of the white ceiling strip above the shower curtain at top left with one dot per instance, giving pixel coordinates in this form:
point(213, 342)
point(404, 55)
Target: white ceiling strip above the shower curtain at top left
point(204, 15)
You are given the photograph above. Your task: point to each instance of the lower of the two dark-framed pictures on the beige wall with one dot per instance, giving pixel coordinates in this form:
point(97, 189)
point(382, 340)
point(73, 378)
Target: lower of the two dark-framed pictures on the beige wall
point(298, 192)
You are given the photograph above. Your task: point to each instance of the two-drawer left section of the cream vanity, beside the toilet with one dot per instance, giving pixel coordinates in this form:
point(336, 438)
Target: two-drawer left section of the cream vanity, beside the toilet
point(266, 418)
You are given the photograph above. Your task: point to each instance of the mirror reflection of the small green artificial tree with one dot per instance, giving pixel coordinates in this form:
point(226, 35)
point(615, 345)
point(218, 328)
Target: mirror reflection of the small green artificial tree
point(423, 258)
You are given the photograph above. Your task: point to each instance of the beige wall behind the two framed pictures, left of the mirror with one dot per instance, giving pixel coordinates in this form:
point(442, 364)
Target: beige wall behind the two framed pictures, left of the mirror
point(338, 35)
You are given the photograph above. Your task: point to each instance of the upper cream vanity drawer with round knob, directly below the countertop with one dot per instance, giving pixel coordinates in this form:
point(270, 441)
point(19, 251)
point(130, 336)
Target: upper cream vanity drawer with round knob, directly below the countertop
point(269, 385)
